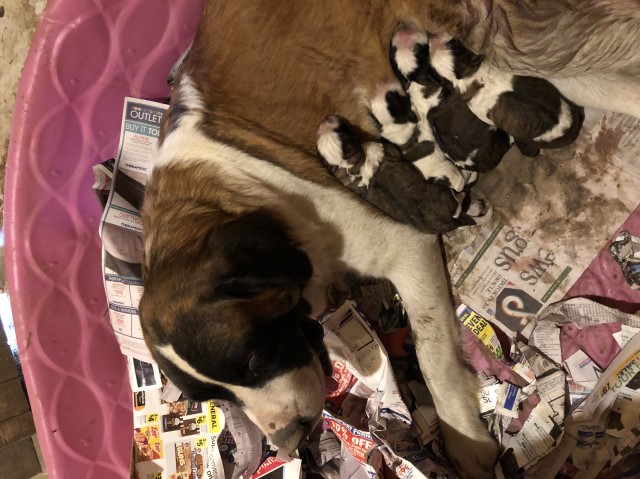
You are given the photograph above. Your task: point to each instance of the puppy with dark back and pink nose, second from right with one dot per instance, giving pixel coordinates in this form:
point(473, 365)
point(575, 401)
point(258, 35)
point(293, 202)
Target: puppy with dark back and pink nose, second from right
point(466, 140)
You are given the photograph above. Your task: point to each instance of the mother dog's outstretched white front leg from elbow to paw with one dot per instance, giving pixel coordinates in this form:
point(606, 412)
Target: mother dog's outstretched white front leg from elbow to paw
point(422, 284)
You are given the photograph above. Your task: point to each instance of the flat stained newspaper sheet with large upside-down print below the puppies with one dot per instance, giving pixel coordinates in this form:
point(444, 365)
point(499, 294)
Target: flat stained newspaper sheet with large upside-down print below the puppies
point(534, 249)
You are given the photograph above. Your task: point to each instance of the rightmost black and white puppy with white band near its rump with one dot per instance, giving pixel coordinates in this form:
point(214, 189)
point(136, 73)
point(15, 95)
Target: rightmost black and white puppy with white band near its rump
point(529, 109)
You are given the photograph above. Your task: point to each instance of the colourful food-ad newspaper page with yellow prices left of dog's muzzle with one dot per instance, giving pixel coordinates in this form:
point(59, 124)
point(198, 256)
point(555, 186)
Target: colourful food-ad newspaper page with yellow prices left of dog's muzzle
point(192, 440)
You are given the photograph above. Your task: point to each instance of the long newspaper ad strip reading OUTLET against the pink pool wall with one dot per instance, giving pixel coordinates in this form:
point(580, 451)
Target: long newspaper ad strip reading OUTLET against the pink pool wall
point(120, 226)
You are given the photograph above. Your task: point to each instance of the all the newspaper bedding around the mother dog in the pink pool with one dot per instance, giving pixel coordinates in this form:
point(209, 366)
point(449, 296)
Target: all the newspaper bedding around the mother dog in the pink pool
point(559, 380)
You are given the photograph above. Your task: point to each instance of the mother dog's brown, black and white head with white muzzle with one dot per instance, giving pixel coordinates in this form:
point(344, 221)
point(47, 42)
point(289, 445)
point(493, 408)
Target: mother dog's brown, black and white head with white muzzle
point(224, 317)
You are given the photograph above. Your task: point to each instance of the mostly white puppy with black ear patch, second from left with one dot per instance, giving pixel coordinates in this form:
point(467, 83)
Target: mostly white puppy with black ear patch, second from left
point(399, 124)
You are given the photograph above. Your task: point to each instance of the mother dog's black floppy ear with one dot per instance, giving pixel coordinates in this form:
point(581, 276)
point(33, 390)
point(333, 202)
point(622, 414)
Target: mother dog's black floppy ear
point(253, 253)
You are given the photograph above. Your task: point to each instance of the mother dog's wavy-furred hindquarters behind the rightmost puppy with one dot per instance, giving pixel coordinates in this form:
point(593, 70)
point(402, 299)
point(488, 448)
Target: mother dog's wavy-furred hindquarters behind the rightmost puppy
point(589, 49)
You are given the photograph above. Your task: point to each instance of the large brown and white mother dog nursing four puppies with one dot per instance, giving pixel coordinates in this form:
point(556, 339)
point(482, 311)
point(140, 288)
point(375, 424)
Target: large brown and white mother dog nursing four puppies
point(243, 226)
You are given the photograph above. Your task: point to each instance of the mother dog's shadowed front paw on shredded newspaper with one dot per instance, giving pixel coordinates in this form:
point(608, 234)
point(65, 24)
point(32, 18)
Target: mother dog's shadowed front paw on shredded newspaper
point(472, 457)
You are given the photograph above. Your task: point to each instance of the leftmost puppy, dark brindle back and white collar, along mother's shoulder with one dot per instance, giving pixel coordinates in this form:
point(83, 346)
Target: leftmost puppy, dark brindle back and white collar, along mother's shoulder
point(378, 173)
